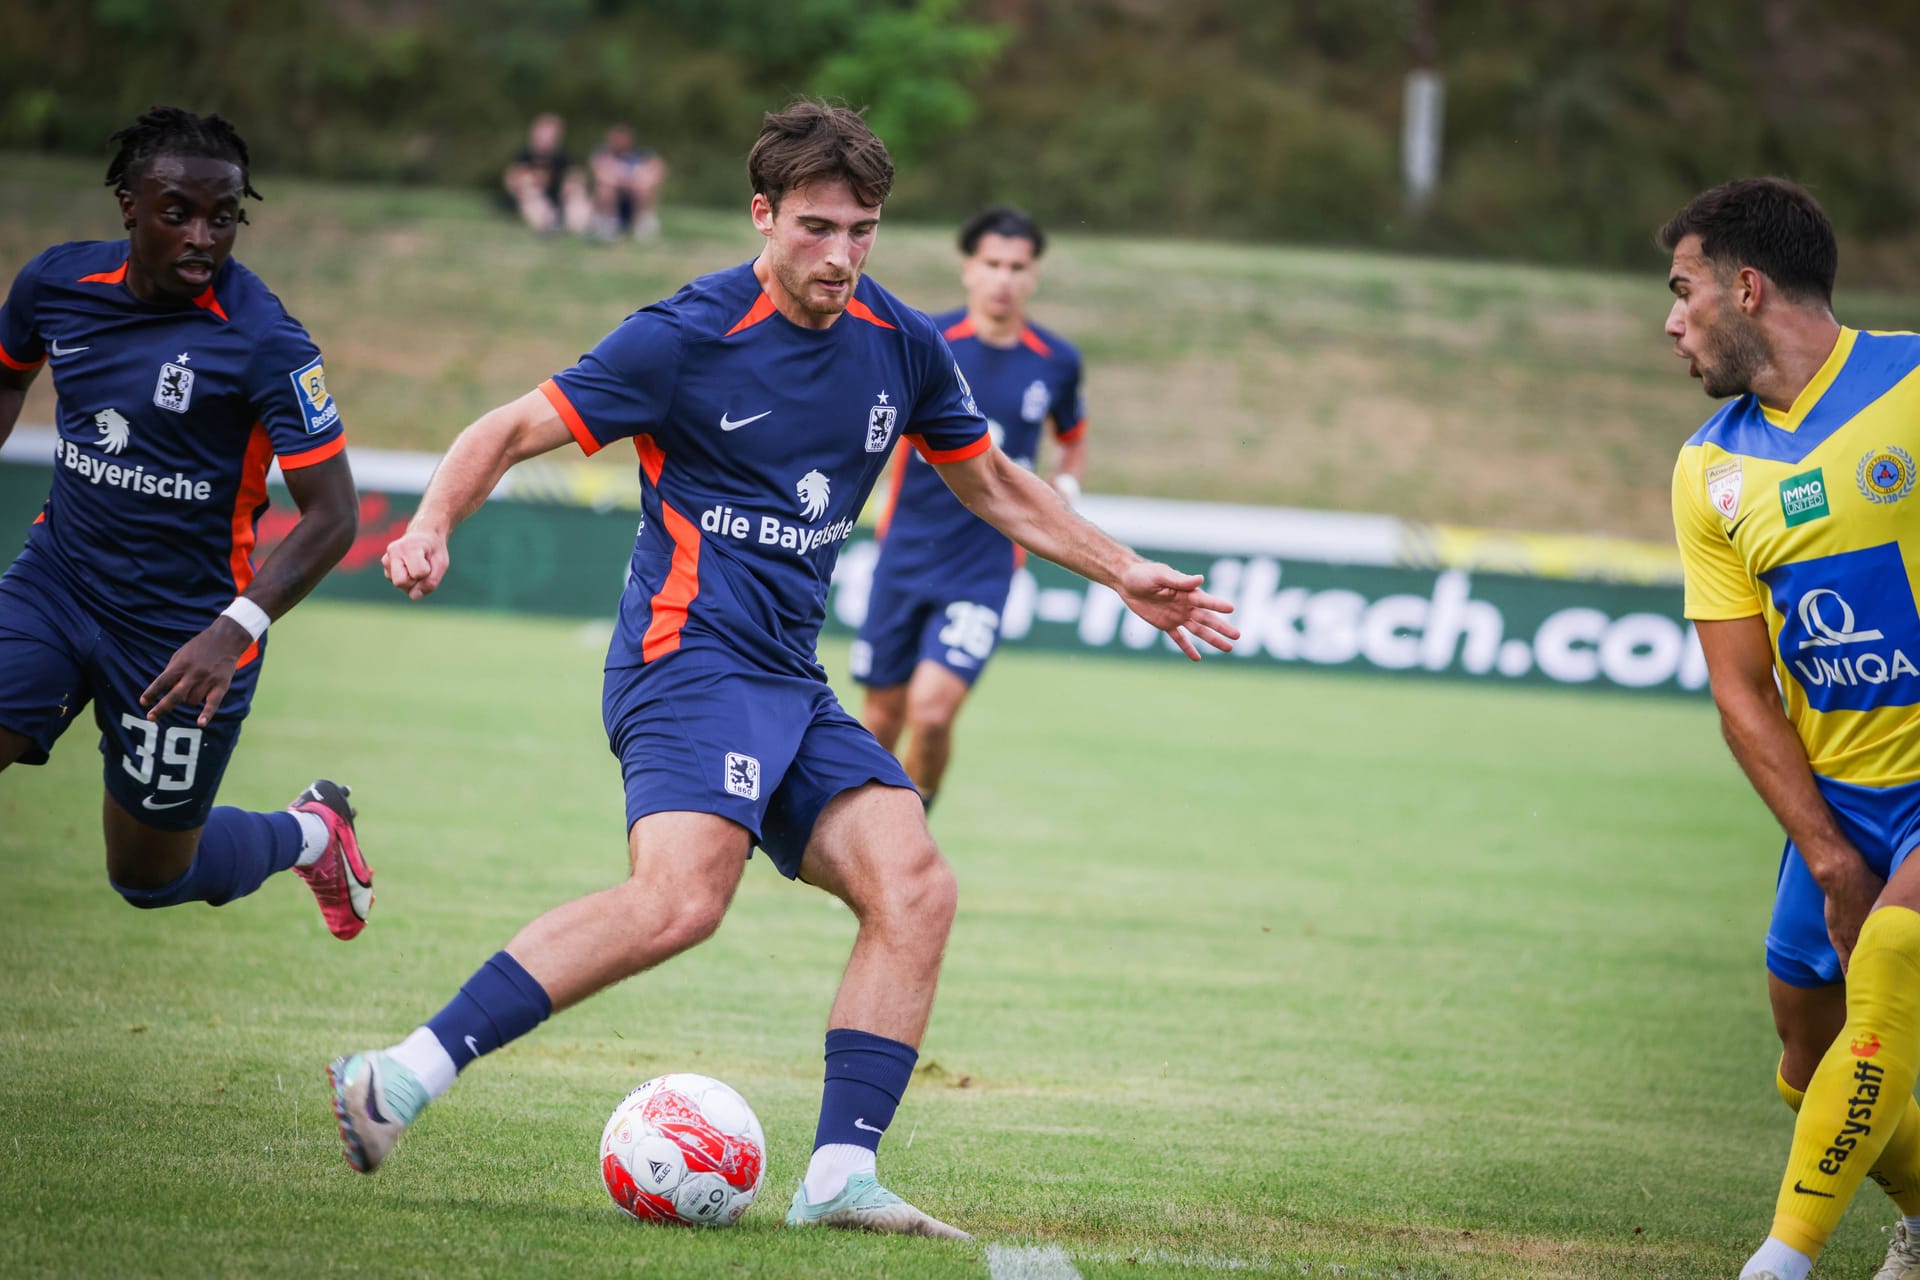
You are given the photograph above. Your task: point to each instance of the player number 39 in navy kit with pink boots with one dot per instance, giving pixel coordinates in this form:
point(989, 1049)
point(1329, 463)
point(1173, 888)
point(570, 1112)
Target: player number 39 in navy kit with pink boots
point(180, 377)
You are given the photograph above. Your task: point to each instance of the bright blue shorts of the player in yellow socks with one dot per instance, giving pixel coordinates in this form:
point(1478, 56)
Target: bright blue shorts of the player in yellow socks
point(1884, 824)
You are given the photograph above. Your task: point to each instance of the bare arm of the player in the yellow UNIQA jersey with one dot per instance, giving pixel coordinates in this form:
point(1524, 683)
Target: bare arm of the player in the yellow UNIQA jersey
point(1740, 661)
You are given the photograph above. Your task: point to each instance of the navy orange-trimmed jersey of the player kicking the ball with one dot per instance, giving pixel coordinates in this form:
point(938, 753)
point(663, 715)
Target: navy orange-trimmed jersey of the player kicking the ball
point(759, 442)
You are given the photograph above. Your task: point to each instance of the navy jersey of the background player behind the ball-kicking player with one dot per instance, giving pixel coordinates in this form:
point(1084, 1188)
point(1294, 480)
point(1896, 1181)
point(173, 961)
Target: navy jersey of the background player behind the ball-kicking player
point(926, 534)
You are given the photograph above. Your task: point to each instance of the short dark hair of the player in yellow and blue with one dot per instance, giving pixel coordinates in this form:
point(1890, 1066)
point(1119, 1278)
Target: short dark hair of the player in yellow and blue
point(1773, 225)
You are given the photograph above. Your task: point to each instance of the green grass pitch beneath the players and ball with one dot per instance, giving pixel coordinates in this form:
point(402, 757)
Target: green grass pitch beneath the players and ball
point(1253, 972)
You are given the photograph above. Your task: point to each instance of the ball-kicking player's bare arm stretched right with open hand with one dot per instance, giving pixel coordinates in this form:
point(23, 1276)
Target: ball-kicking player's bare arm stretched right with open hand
point(1032, 513)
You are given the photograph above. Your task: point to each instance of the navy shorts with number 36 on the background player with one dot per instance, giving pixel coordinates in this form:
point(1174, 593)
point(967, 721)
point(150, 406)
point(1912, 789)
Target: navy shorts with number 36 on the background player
point(907, 625)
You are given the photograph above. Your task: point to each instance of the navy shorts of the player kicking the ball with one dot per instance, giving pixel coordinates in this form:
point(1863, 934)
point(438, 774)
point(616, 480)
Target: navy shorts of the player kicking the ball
point(708, 736)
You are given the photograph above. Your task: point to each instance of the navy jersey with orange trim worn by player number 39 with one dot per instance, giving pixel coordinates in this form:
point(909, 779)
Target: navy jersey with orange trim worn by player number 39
point(170, 417)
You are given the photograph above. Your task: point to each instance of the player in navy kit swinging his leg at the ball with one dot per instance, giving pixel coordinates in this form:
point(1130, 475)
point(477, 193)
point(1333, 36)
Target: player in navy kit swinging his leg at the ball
point(763, 404)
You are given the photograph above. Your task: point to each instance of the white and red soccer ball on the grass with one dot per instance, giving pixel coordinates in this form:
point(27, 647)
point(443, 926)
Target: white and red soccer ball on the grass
point(684, 1149)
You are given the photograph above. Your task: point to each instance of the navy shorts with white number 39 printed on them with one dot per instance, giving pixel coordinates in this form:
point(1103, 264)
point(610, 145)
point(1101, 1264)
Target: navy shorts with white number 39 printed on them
point(57, 659)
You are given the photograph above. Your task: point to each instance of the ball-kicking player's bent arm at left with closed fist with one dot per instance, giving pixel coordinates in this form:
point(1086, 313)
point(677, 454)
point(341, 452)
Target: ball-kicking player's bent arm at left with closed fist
point(529, 427)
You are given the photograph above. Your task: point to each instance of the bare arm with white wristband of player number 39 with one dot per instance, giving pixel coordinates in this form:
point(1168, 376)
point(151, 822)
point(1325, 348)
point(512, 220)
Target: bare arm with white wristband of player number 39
point(204, 667)
